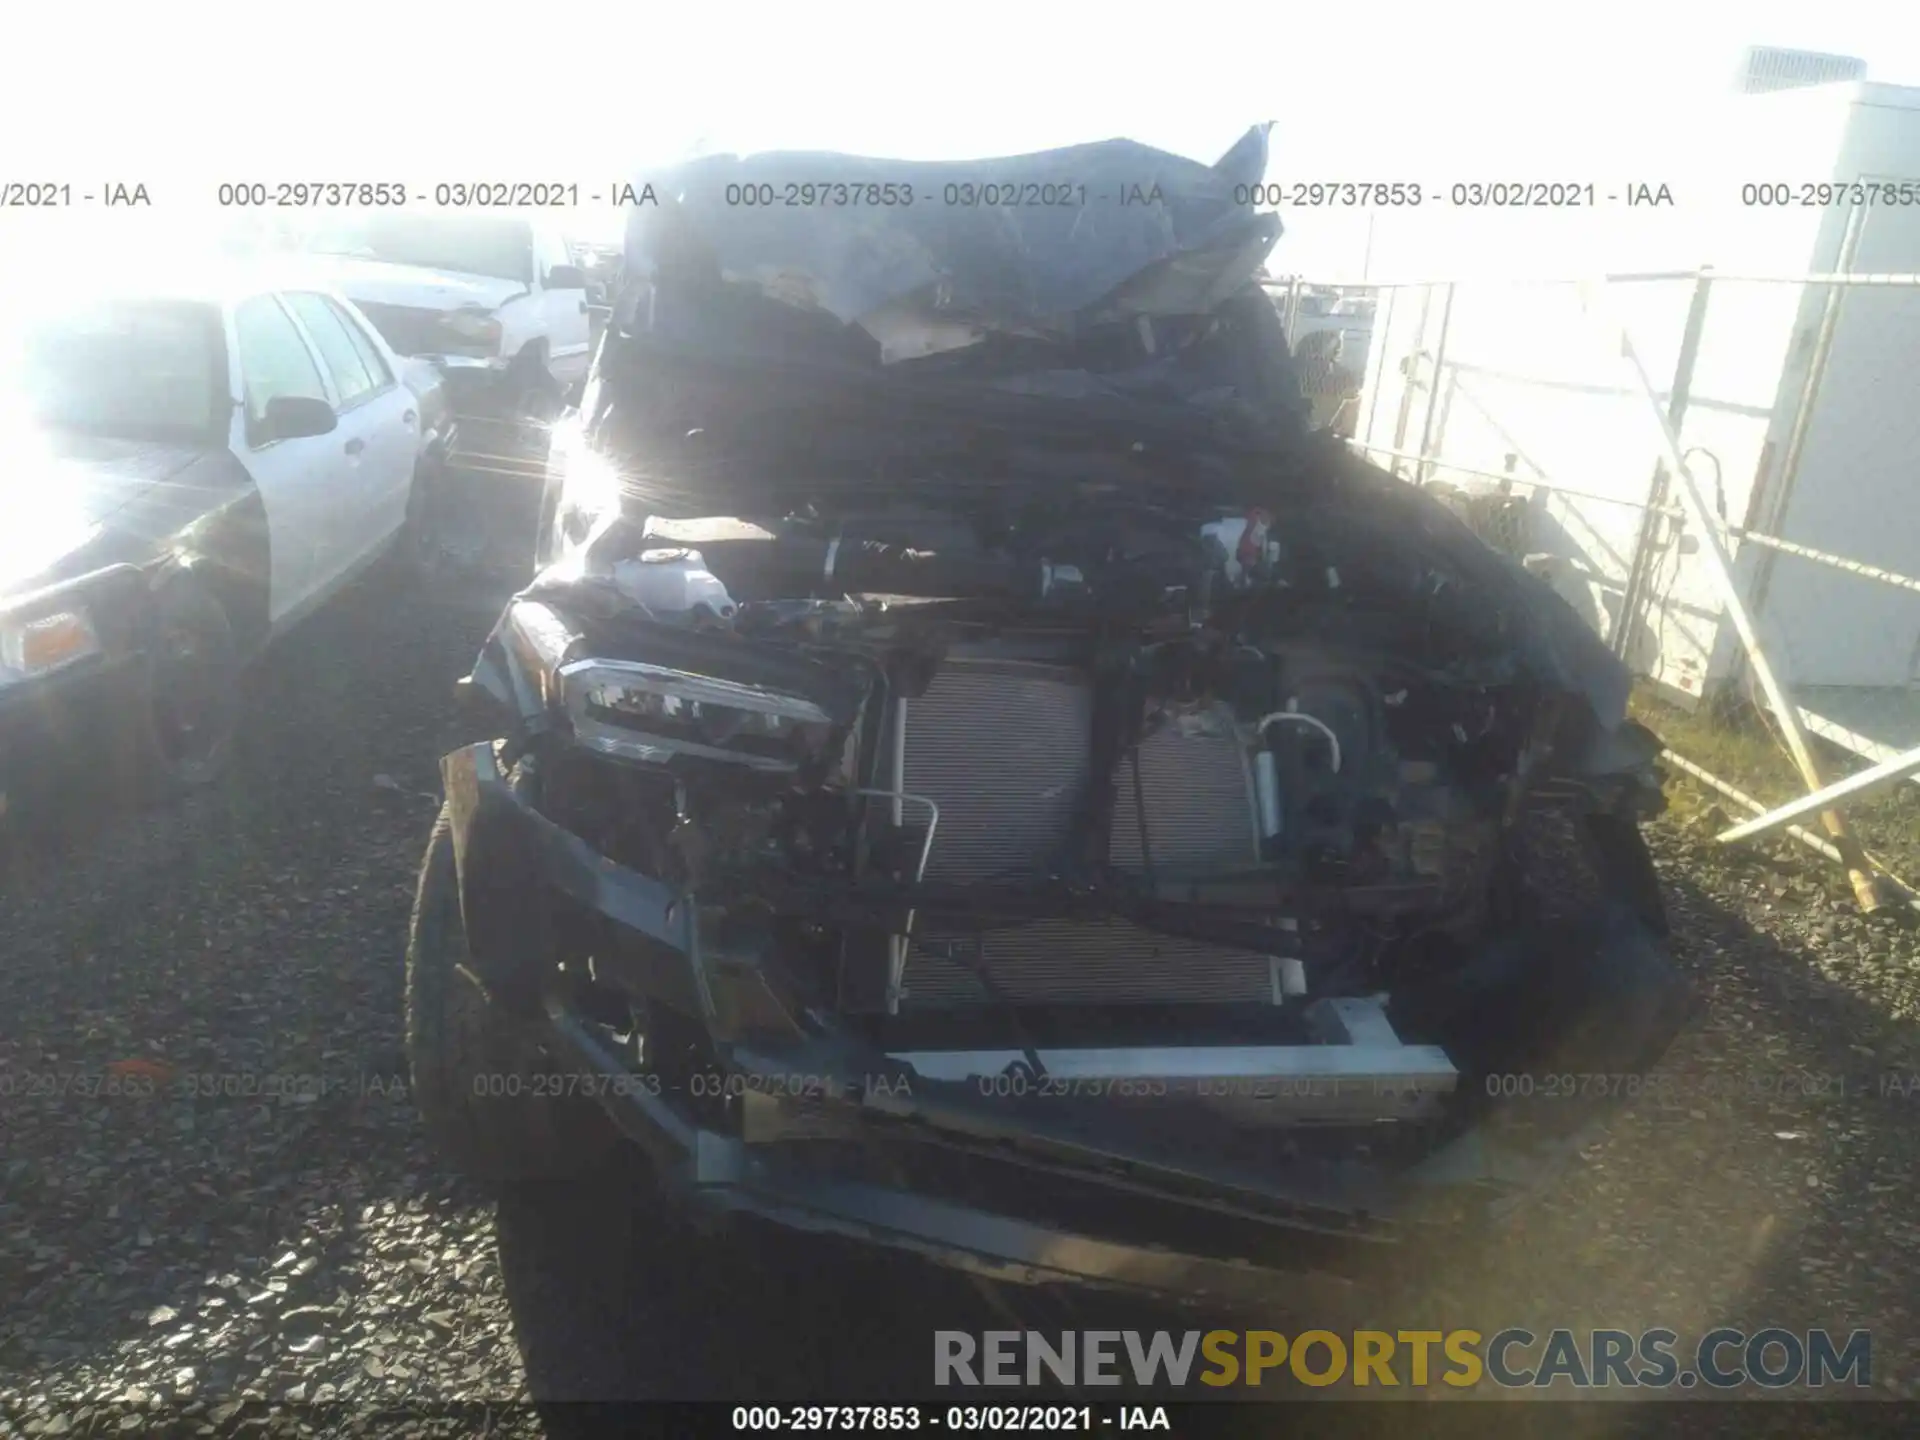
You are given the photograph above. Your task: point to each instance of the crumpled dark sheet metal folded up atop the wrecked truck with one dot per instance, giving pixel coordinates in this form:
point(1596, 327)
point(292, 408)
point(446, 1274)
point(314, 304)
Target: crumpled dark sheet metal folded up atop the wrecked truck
point(1099, 229)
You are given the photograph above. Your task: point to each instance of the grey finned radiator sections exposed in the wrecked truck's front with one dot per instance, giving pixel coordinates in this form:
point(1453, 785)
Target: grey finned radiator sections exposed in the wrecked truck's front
point(1003, 750)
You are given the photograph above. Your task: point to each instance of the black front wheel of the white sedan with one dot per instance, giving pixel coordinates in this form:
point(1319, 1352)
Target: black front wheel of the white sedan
point(189, 704)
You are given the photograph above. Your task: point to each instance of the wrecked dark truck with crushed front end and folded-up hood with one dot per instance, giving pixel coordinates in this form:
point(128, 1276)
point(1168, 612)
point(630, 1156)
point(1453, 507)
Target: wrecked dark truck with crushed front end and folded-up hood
point(974, 773)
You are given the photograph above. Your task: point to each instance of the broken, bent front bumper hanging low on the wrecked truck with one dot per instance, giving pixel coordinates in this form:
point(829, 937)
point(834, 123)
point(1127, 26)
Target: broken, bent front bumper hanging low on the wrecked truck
point(846, 1140)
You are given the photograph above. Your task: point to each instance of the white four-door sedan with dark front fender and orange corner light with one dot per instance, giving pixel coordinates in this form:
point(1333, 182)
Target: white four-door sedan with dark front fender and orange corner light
point(191, 468)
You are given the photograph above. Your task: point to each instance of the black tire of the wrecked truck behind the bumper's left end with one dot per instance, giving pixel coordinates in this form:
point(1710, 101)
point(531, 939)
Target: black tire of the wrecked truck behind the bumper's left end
point(477, 1072)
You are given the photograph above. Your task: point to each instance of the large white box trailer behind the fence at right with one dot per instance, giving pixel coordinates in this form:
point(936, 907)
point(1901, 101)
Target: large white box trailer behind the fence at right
point(1798, 420)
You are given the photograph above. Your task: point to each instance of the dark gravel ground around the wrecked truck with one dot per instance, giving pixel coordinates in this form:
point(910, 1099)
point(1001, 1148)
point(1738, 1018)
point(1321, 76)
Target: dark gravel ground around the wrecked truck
point(214, 1247)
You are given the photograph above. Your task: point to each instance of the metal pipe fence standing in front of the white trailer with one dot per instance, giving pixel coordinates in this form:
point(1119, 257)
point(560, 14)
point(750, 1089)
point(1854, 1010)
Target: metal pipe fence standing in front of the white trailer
point(1798, 517)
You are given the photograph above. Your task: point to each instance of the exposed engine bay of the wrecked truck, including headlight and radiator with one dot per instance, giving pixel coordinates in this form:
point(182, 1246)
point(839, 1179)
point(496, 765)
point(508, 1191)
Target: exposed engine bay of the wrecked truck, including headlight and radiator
point(1132, 777)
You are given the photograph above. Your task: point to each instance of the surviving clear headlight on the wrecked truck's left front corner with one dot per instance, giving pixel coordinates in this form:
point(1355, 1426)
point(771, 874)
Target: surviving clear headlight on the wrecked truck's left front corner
point(650, 713)
